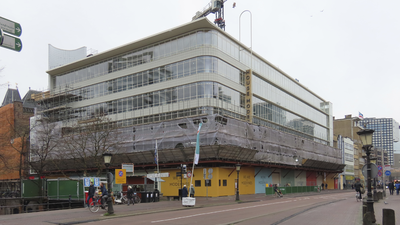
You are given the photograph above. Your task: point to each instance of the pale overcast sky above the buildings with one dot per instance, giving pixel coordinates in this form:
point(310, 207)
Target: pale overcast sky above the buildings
point(345, 51)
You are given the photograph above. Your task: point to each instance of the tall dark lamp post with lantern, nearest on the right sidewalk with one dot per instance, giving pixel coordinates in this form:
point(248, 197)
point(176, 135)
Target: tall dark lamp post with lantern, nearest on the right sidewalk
point(366, 139)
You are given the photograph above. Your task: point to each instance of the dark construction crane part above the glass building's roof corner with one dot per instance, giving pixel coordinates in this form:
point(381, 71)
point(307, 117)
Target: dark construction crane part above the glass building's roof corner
point(216, 7)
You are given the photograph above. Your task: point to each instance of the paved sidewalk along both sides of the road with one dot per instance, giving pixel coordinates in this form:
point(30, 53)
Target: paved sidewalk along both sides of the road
point(82, 215)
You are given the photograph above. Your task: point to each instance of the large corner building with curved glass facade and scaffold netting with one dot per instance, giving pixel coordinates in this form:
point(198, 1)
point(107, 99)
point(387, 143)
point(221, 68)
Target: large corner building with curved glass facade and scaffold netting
point(160, 88)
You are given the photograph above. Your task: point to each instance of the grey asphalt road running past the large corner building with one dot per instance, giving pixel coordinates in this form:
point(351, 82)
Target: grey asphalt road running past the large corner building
point(335, 208)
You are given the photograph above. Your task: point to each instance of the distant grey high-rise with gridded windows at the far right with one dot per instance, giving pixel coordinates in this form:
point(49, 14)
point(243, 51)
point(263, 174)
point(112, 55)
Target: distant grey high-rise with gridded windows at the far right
point(386, 133)
